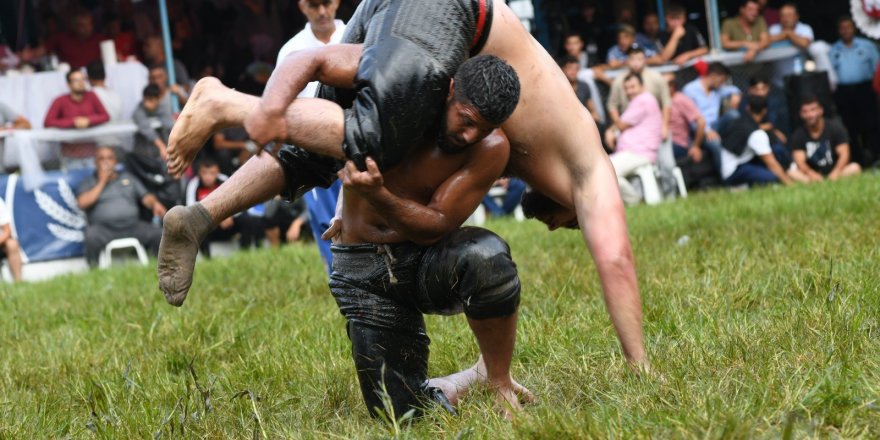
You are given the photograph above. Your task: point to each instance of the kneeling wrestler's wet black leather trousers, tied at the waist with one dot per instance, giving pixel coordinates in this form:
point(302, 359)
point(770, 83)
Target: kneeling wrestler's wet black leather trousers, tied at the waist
point(384, 290)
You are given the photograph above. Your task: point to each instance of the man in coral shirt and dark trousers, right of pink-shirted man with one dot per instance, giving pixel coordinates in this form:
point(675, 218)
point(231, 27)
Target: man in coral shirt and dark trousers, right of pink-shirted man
point(687, 128)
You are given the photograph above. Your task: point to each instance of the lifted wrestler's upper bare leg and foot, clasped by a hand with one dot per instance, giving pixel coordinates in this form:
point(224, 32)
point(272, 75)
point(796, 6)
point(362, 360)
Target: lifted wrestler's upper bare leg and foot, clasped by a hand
point(312, 124)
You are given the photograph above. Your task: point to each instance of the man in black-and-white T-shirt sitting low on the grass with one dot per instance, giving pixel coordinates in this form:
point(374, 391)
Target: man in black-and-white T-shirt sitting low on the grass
point(747, 157)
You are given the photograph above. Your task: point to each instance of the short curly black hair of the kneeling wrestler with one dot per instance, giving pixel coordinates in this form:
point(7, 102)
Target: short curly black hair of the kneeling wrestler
point(490, 85)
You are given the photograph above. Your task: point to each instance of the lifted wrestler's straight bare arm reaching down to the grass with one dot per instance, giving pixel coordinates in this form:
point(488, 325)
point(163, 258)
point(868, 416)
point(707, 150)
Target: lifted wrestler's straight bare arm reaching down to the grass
point(603, 224)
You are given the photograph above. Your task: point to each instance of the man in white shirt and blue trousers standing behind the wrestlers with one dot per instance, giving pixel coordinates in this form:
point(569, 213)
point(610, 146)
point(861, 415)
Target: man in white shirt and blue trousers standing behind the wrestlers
point(321, 30)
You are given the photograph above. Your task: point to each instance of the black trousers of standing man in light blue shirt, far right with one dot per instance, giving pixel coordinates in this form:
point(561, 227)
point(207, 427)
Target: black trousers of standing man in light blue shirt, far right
point(857, 105)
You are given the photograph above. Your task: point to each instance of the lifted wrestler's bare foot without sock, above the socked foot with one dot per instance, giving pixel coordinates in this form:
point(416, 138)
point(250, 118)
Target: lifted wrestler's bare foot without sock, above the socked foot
point(211, 107)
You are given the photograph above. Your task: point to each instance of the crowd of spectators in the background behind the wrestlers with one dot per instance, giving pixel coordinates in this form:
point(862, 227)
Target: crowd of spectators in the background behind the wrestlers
point(718, 134)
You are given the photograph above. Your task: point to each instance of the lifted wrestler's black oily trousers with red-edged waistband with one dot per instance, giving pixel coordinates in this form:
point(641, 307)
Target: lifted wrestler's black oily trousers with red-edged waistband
point(411, 50)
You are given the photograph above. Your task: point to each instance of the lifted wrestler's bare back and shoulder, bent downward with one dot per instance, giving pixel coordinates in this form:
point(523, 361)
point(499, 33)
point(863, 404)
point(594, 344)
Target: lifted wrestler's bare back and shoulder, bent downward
point(550, 132)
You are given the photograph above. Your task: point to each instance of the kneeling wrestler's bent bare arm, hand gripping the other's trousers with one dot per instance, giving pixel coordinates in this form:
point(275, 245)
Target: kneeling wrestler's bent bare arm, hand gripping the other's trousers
point(452, 202)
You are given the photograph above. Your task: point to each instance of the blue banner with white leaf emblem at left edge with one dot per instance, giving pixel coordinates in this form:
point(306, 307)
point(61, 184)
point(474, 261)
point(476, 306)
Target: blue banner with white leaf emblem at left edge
point(46, 222)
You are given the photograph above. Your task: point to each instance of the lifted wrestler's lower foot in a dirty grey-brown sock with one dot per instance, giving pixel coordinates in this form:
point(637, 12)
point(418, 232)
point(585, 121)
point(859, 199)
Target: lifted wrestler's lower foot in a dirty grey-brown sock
point(184, 229)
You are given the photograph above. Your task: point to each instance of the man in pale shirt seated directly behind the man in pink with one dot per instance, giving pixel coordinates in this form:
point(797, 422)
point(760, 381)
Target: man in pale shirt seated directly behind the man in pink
point(653, 82)
